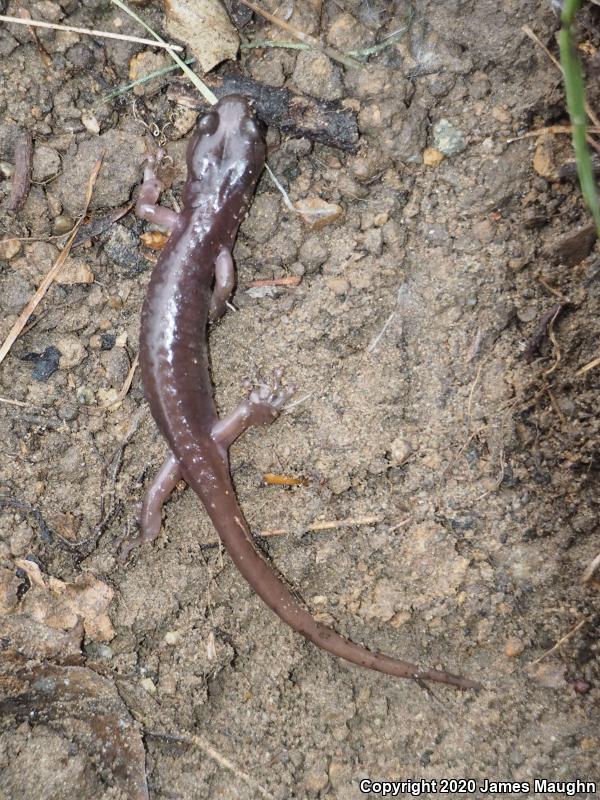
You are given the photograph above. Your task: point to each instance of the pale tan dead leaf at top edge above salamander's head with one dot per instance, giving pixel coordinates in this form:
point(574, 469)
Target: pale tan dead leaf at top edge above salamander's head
point(206, 29)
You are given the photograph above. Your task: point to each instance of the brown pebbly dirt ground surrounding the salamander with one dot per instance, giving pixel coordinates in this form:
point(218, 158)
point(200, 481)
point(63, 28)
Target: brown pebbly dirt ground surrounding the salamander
point(436, 335)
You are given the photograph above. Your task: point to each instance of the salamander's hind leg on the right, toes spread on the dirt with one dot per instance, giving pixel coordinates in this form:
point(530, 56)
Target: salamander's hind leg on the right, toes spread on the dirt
point(260, 408)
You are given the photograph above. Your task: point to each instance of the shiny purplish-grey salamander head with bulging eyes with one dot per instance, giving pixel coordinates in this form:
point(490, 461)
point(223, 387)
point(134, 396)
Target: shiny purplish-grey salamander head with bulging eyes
point(226, 152)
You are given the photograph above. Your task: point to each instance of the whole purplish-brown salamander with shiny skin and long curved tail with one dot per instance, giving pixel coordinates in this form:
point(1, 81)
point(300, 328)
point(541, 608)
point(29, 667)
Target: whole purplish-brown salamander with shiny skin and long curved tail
point(191, 283)
